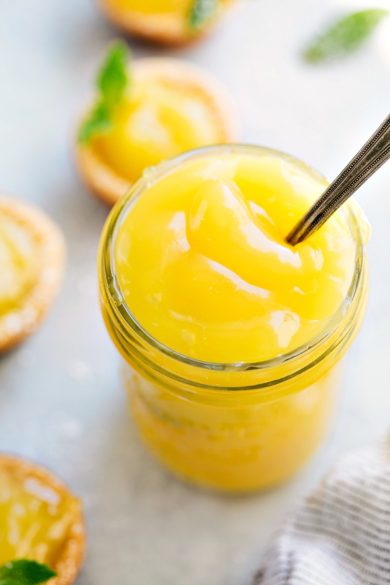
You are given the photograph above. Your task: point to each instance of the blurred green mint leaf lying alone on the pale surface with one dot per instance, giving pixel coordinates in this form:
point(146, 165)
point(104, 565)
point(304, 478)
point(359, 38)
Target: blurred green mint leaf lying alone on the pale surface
point(345, 36)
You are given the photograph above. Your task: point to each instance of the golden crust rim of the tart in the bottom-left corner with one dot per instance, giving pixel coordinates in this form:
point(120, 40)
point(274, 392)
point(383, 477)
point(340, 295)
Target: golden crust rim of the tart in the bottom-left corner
point(69, 563)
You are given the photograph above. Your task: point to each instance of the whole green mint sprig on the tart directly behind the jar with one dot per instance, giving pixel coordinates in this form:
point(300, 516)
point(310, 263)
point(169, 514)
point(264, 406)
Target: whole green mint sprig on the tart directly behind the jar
point(112, 82)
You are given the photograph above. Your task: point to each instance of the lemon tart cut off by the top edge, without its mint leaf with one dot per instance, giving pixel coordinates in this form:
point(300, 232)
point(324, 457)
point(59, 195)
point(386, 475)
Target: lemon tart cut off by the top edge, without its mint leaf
point(165, 29)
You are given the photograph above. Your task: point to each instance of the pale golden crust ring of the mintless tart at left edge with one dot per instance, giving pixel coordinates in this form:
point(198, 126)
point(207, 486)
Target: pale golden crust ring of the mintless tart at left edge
point(25, 317)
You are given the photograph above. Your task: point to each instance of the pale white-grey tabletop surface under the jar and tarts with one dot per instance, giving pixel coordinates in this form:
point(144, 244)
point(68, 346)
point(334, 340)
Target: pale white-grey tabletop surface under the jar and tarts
point(60, 399)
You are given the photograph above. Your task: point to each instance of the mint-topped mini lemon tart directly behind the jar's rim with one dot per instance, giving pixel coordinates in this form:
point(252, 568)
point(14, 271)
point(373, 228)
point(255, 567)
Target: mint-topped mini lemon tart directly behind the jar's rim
point(145, 114)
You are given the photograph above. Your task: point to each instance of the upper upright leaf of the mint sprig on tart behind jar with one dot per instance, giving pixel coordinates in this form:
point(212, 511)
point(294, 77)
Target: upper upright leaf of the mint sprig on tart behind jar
point(112, 78)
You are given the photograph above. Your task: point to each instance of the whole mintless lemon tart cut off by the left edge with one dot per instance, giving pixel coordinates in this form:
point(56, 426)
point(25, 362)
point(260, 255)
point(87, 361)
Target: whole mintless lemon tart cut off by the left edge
point(31, 268)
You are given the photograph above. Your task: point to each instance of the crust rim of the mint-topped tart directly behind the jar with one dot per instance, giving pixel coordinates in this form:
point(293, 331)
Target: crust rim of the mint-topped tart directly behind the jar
point(106, 183)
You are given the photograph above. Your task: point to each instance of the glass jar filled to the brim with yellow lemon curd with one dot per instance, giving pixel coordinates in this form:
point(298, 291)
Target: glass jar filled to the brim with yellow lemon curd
point(232, 334)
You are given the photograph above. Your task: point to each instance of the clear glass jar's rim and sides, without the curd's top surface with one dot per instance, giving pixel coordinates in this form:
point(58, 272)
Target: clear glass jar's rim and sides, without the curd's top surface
point(232, 427)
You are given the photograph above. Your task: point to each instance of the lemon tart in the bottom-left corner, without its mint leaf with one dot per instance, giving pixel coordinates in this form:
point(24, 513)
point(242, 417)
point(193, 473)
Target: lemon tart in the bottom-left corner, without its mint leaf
point(39, 519)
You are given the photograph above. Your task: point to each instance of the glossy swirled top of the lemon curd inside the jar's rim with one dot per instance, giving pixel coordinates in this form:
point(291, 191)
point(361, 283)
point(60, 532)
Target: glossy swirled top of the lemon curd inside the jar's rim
point(203, 265)
